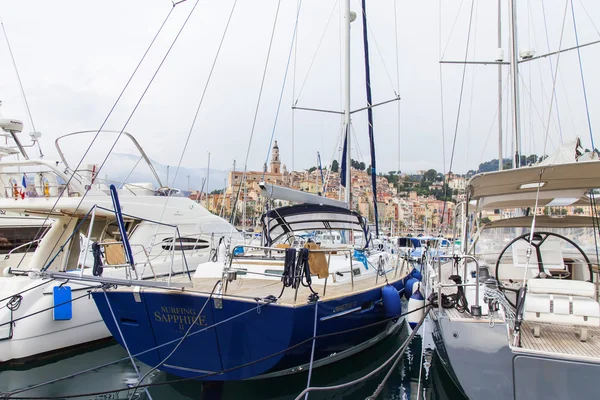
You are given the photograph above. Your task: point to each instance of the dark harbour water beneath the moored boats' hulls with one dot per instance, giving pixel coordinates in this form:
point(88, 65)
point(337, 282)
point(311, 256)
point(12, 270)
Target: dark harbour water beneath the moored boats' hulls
point(419, 375)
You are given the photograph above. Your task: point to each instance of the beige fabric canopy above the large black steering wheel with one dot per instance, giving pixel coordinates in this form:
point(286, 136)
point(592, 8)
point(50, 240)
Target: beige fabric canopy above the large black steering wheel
point(559, 185)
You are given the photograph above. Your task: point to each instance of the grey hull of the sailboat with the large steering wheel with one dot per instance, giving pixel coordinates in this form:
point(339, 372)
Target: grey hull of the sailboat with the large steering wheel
point(481, 363)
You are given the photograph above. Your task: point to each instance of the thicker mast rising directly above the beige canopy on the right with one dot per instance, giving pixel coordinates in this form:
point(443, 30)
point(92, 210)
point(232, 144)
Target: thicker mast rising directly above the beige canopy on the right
point(514, 80)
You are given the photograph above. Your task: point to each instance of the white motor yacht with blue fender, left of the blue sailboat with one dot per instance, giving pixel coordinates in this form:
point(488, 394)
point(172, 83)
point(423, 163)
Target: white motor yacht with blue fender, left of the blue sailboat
point(167, 234)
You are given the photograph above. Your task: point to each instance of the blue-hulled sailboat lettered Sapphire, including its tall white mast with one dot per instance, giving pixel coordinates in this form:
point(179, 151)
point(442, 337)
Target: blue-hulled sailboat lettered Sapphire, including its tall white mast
point(283, 307)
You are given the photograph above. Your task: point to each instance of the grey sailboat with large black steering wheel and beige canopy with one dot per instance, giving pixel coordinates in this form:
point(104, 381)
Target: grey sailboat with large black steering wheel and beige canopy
point(516, 314)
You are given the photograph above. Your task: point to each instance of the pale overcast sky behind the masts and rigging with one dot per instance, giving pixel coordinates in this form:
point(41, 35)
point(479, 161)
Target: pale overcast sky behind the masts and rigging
point(75, 57)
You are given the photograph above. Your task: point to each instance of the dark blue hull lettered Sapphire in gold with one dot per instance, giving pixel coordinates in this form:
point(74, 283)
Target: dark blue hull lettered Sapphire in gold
point(222, 352)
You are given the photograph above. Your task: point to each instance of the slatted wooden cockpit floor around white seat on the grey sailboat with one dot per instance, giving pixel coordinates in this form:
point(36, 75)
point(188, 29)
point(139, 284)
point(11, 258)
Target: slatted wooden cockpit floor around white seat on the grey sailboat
point(561, 340)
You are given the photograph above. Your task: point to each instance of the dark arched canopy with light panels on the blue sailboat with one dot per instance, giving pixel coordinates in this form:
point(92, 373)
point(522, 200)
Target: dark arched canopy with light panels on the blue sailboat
point(309, 217)
